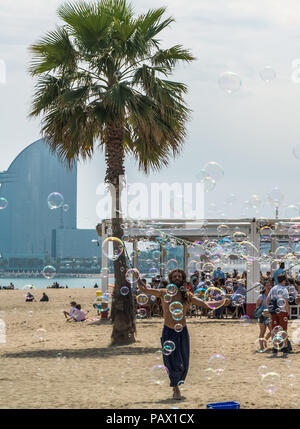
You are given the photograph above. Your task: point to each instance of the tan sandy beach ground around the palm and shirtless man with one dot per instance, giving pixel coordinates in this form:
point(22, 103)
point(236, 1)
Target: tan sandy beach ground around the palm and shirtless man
point(71, 365)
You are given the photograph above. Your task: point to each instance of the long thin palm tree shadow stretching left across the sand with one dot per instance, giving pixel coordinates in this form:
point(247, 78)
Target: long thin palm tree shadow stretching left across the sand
point(101, 352)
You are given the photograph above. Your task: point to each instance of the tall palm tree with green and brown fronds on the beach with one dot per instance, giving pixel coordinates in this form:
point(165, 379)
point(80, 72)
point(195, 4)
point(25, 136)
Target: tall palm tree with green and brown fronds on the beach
point(102, 81)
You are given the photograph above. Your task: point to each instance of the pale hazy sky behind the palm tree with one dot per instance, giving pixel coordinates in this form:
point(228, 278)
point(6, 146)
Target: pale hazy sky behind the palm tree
point(250, 133)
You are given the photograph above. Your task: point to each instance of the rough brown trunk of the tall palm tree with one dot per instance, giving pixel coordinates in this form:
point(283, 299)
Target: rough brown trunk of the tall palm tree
point(123, 308)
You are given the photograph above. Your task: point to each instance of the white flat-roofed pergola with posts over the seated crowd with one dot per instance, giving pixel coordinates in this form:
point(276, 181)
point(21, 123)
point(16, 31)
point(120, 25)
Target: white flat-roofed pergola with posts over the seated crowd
point(188, 231)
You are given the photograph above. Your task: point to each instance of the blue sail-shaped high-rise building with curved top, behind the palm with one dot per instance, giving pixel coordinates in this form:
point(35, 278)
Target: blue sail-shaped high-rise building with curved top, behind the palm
point(31, 233)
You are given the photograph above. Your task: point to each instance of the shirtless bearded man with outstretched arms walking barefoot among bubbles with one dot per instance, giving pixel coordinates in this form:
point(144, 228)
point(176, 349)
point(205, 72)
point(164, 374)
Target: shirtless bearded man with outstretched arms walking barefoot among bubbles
point(175, 329)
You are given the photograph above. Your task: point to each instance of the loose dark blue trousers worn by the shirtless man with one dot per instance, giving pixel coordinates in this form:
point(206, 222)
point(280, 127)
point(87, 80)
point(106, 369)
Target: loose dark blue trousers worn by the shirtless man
point(177, 362)
